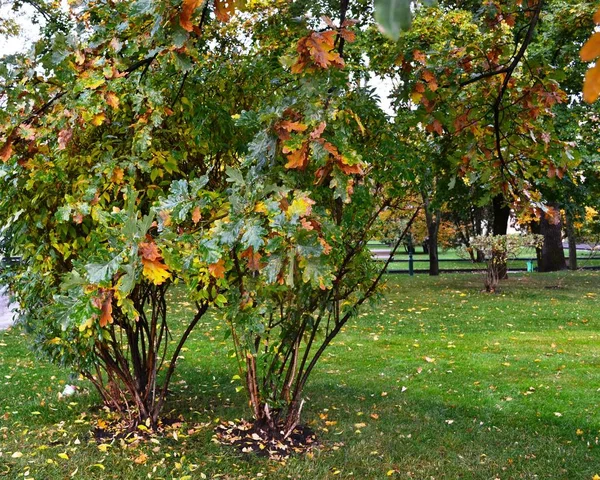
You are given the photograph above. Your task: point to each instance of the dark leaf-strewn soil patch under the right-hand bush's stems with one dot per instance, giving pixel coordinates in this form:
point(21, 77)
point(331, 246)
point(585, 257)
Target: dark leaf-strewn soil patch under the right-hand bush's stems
point(248, 438)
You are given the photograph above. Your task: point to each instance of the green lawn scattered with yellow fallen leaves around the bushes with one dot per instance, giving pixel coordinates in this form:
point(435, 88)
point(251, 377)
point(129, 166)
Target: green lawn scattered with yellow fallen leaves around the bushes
point(438, 381)
